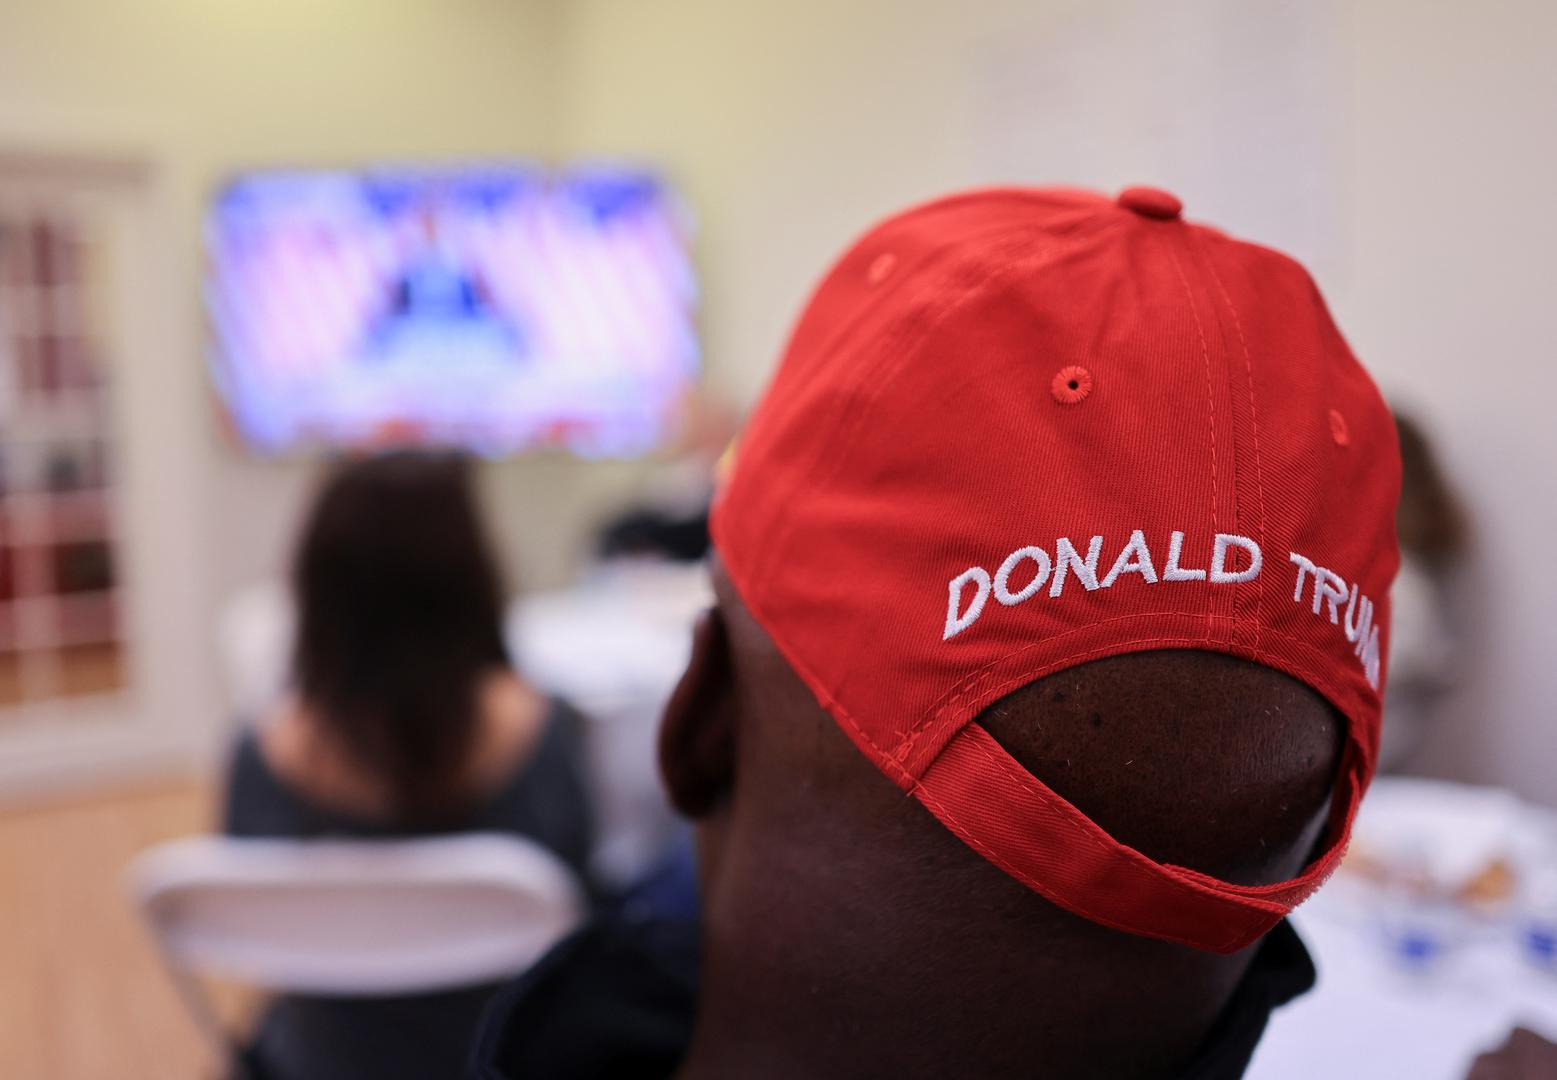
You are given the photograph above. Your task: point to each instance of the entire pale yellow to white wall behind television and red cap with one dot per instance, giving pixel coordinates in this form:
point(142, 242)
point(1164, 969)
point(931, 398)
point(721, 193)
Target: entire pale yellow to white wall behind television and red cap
point(793, 125)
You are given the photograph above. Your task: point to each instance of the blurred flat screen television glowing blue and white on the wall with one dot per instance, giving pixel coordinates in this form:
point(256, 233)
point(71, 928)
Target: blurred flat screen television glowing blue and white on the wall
point(496, 309)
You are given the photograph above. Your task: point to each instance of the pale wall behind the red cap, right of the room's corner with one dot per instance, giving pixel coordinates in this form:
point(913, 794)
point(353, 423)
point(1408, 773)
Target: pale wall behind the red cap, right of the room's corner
point(1424, 136)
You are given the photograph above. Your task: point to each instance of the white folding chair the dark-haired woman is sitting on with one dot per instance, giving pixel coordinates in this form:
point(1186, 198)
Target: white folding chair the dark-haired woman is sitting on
point(351, 917)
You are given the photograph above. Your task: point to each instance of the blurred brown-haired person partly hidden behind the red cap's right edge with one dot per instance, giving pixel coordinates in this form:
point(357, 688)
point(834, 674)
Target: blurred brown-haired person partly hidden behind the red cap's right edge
point(1425, 648)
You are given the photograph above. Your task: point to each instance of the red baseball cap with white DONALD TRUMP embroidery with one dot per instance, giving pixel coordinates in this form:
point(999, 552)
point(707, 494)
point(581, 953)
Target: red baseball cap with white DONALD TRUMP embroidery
point(1019, 430)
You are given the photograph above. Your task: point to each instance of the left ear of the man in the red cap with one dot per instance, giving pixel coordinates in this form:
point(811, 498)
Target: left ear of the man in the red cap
point(698, 732)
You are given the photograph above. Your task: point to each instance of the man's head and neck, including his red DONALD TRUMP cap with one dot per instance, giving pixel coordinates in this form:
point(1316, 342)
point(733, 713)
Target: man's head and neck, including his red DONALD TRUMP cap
point(1053, 577)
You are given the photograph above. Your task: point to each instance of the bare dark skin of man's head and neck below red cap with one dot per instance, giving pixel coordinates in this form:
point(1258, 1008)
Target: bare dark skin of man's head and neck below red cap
point(849, 934)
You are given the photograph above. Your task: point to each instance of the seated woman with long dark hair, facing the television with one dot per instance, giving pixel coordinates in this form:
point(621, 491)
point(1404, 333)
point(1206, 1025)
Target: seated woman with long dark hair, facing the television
point(406, 720)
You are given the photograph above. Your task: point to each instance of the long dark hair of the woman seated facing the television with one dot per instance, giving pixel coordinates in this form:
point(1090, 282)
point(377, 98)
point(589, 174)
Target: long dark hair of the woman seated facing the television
point(401, 615)
